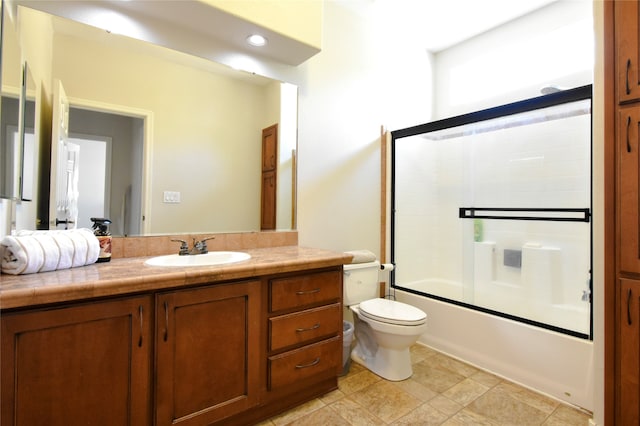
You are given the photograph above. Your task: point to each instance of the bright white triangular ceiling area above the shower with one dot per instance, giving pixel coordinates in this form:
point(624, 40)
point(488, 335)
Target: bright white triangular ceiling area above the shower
point(439, 24)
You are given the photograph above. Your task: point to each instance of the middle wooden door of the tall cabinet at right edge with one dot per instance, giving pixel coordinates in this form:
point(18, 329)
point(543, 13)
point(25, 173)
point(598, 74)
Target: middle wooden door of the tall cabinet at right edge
point(628, 148)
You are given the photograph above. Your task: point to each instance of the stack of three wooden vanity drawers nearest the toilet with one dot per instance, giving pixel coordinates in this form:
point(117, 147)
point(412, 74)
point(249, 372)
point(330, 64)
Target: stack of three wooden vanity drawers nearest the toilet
point(305, 331)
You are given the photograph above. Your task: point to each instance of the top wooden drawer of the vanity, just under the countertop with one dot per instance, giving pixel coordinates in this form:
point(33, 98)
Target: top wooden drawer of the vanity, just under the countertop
point(303, 290)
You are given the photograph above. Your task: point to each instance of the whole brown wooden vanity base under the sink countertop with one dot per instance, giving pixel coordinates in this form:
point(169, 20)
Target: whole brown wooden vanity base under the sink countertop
point(224, 353)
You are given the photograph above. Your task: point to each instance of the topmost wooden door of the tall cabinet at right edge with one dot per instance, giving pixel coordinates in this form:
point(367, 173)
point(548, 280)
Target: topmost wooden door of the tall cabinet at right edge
point(627, 35)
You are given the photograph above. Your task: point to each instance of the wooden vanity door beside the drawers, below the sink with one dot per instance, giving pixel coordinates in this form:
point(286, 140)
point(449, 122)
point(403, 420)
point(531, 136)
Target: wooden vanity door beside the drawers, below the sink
point(208, 355)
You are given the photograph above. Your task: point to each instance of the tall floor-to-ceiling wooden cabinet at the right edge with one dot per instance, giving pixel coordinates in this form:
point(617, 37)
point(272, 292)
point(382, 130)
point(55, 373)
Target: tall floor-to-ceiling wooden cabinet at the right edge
point(626, 312)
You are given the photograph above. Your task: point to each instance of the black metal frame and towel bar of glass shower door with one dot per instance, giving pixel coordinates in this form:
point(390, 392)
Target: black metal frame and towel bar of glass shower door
point(540, 102)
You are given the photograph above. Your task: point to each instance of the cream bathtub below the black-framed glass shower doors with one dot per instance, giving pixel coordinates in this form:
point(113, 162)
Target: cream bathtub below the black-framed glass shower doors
point(546, 361)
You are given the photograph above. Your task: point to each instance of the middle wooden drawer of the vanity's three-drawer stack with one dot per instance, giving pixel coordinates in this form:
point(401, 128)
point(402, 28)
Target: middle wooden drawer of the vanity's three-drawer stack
point(300, 327)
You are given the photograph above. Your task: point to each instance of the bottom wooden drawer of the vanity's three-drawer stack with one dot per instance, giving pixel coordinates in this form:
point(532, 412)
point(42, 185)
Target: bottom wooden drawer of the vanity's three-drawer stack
point(313, 362)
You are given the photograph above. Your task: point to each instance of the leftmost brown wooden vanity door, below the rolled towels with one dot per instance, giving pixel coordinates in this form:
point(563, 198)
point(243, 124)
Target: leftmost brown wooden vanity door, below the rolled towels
point(81, 364)
